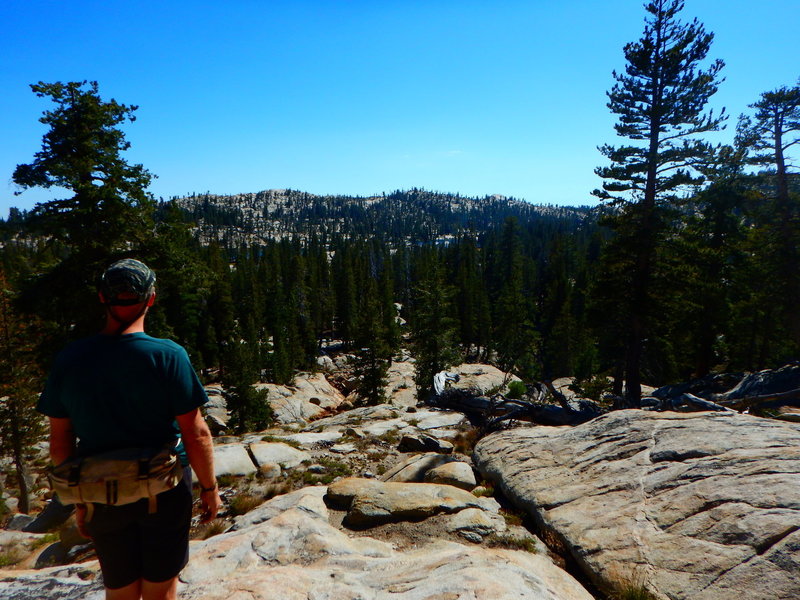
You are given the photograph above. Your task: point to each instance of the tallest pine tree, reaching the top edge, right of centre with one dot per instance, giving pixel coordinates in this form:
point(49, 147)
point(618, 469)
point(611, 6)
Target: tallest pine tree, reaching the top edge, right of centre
point(660, 100)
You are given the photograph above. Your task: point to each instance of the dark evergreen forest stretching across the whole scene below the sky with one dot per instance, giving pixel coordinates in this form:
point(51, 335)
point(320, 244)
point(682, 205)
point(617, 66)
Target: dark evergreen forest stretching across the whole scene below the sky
point(687, 266)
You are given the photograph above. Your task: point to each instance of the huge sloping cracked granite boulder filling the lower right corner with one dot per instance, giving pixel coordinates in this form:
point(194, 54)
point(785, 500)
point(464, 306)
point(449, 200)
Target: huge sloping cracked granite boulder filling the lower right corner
point(701, 505)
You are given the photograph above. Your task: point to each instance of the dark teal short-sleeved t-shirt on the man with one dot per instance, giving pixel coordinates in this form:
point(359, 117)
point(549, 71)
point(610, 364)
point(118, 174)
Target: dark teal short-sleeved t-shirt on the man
point(122, 391)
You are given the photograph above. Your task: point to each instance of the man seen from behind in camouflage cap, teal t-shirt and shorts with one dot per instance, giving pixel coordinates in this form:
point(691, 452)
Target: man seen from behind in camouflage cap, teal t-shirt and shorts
point(119, 390)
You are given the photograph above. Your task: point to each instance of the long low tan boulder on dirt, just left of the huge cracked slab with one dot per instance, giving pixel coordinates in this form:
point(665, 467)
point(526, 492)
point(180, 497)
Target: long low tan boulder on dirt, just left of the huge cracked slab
point(376, 502)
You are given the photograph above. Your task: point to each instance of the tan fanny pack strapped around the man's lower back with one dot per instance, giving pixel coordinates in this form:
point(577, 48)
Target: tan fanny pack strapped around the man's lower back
point(118, 477)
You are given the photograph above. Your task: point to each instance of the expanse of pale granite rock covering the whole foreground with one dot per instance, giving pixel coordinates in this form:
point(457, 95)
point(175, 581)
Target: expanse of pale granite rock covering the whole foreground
point(387, 505)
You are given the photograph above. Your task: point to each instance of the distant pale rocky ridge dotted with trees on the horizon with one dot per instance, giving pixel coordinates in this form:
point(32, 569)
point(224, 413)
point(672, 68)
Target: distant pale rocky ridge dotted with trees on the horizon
point(400, 217)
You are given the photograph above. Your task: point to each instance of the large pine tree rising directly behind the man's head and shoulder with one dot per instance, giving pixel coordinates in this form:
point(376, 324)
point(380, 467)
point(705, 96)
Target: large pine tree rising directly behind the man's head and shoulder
point(109, 214)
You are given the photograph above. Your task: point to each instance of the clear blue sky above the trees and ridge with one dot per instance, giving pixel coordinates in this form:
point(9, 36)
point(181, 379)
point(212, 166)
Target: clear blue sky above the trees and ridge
point(361, 97)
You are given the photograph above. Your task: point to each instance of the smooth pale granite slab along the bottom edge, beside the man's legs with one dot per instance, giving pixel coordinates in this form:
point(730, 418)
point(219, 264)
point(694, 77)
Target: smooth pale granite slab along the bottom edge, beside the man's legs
point(288, 549)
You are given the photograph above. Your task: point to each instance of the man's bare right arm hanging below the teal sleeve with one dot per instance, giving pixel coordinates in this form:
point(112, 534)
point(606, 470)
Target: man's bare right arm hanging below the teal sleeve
point(200, 450)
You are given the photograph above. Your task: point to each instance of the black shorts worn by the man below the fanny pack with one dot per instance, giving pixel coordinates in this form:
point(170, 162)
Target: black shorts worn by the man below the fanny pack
point(132, 544)
